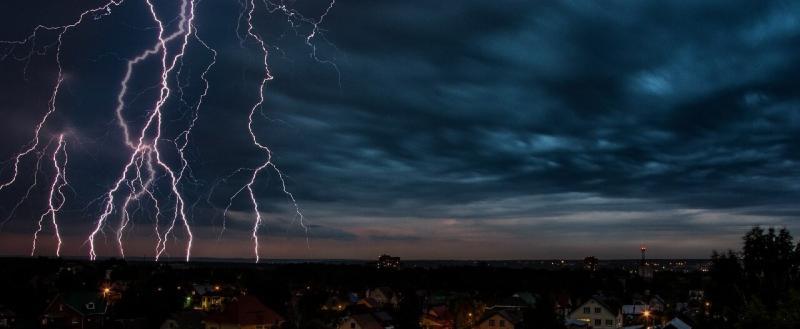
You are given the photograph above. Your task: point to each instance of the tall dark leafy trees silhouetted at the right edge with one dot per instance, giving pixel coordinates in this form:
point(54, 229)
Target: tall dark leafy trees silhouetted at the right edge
point(757, 287)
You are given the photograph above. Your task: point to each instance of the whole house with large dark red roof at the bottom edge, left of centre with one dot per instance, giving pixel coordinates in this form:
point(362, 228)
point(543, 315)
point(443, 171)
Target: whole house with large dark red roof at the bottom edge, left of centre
point(244, 312)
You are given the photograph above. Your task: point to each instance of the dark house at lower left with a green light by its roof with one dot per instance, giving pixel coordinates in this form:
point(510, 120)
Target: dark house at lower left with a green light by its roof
point(75, 310)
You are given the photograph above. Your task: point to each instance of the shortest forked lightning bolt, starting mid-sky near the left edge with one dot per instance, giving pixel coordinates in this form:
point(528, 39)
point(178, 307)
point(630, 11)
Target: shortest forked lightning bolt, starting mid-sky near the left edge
point(56, 199)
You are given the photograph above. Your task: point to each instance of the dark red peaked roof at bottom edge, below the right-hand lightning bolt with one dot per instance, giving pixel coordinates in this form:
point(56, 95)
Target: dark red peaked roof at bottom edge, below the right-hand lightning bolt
point(246, 310)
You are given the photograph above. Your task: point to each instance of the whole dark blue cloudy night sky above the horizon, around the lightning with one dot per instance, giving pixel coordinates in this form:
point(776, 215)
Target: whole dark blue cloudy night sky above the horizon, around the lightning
point(429, 129)
